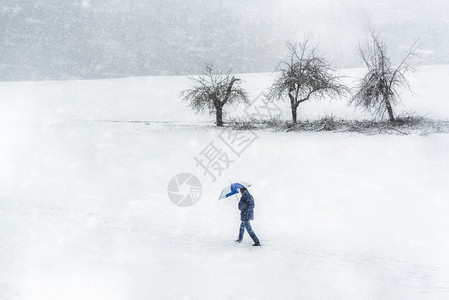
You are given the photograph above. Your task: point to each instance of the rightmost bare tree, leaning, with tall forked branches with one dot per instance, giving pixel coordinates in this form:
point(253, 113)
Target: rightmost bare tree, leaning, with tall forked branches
point(379, 89)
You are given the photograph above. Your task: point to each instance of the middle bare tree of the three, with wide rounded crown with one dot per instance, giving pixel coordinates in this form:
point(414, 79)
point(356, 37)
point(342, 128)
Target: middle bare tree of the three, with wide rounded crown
point(304, 75)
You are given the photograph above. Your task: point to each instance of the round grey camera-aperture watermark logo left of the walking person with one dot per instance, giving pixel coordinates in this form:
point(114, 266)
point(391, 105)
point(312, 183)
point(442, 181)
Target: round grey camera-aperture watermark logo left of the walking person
point(184, 189)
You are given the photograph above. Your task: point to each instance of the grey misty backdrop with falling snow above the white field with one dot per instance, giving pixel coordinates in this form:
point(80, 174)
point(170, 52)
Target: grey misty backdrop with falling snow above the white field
point(71, 39)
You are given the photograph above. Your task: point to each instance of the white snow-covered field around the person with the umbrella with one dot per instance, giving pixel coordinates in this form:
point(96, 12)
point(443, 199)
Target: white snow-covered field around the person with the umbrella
point(84, 210)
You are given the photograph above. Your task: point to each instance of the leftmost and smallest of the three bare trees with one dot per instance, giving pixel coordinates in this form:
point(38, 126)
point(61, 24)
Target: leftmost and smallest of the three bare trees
point(212, 91)
